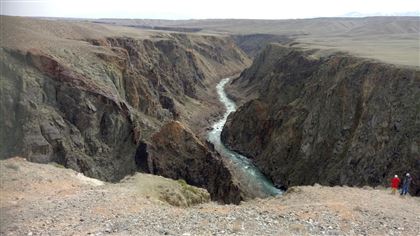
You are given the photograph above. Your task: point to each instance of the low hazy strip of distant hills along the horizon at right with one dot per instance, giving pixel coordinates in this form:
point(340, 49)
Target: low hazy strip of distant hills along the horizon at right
point(315, 26)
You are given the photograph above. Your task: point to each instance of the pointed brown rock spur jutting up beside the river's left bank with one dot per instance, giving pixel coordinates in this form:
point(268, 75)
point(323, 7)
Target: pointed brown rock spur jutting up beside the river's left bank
point(175, 152)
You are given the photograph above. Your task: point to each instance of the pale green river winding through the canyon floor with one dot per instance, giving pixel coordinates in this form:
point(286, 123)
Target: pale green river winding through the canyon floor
point(251, 180)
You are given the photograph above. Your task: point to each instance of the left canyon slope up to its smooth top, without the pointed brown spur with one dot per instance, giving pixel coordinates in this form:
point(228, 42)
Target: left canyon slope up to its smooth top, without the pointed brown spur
point(86, 95)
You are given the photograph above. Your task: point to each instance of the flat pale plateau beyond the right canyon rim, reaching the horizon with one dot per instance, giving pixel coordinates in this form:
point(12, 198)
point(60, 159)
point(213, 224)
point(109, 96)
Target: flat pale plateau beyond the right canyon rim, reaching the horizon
point(392, 39)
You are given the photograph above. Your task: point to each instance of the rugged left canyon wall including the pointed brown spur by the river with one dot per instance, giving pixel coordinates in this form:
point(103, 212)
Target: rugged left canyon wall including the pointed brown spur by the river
point(111, 106)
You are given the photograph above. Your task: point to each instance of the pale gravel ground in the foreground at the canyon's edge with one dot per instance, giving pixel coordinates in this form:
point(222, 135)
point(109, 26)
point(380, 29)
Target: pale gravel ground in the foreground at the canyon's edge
point(46, 200)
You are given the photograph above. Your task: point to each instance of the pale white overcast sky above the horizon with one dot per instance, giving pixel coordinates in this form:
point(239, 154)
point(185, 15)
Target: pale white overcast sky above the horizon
point(195, 9)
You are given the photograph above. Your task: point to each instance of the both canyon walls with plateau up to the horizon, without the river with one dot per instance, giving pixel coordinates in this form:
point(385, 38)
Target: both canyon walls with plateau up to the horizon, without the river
point(110, 98)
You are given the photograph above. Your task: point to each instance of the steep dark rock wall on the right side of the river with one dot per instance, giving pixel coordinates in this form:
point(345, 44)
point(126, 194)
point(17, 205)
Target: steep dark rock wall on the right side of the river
point(335, 120)
